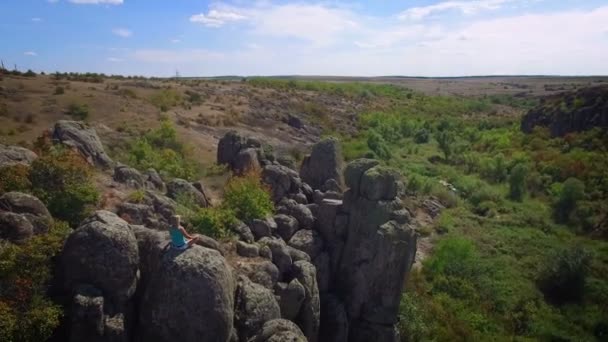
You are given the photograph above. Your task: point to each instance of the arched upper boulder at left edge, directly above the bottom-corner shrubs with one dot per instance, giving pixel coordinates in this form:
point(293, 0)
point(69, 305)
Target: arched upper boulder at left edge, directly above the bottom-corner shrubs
point(28, 206)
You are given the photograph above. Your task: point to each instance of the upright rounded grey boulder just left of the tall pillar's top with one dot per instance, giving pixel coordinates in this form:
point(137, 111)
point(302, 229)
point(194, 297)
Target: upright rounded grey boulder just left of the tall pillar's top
point(323, 164)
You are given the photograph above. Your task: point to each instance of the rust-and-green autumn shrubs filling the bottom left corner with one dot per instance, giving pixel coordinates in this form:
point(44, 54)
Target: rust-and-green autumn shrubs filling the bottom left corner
point(26, 313)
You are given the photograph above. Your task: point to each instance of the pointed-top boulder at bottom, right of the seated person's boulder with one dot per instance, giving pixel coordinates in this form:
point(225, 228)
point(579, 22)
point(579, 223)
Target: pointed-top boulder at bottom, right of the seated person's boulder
point(255, 305)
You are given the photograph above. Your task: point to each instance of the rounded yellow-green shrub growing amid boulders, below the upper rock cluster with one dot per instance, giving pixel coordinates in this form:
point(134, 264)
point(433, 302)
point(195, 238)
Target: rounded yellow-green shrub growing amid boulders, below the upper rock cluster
point(248, 198)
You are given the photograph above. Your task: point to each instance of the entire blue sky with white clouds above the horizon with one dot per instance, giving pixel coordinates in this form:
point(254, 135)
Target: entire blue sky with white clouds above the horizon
point(237, 37)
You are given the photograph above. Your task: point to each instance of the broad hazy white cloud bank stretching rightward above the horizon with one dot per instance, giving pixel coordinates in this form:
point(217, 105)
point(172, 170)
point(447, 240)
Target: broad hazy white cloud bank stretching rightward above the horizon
point(352, 44)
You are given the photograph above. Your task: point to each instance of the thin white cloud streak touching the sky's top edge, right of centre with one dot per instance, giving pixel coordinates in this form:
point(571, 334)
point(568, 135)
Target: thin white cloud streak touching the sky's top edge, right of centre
point(465, 7)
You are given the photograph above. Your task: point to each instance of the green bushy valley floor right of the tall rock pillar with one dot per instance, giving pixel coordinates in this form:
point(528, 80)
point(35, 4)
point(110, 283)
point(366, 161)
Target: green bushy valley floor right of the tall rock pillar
point(514, 259)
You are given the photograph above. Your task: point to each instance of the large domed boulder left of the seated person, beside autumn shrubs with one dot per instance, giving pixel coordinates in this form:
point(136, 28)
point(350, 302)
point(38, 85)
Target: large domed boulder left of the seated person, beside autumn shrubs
point(102, 252)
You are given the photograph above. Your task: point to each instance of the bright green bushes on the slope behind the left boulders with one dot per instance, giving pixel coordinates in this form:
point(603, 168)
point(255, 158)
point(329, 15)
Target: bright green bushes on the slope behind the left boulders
point(160, 149)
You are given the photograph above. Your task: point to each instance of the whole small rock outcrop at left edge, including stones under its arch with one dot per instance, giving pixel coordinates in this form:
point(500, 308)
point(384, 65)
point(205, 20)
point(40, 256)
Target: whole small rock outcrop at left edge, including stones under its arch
point(28, 208)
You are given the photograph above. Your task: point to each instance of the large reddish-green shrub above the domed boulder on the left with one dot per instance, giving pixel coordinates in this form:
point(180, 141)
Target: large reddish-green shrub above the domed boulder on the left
point(62, 179)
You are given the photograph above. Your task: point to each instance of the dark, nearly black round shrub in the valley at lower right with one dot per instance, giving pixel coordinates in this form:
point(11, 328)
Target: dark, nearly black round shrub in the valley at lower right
point(563, 277)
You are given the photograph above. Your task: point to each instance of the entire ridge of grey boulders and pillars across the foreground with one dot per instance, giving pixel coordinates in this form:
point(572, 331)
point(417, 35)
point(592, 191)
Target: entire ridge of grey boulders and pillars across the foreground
point(329, 266)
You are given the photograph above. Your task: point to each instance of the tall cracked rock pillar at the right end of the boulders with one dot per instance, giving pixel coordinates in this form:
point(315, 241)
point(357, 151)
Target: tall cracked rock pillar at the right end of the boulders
point(378, 252)
